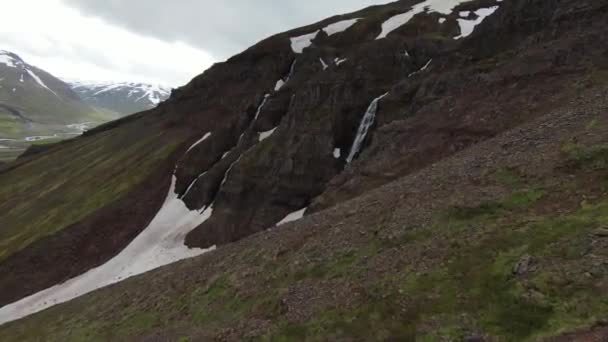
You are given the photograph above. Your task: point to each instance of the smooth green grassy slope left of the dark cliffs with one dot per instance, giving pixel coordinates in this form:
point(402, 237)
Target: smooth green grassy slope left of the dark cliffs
point(93, 171)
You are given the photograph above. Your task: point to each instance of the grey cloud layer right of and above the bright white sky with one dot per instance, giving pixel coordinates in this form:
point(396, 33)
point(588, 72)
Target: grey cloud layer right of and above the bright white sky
point(222, 28)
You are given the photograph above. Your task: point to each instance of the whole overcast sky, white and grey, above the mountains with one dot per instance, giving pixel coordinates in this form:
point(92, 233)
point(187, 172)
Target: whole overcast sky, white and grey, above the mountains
point(158, 41)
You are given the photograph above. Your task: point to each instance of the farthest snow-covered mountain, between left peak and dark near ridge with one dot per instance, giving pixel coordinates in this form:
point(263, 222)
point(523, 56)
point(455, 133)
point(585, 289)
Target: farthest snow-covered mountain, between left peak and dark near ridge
point(121, 97)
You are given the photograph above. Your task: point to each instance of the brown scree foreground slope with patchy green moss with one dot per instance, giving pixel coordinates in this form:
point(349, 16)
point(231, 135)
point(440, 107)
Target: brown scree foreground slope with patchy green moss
point(505, 240)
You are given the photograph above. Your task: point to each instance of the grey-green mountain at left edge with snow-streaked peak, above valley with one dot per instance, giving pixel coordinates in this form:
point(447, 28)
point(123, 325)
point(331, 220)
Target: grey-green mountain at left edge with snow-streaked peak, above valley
point(36, 106)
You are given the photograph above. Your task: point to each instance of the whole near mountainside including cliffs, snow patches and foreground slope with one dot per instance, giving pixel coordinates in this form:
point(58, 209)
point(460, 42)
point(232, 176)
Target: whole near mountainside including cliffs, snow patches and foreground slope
point(445, 162)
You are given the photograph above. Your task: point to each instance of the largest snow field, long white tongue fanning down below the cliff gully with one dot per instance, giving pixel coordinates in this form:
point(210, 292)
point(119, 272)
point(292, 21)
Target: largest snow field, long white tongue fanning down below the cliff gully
point(160, 243)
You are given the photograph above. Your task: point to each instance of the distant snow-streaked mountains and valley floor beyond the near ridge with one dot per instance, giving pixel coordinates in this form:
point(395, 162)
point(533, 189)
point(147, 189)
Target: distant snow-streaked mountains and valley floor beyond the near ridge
point(37, 107)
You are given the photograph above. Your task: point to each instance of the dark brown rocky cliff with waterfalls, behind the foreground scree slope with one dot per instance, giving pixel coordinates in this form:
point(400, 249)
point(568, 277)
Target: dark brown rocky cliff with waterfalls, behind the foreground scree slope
point(280, 119)
